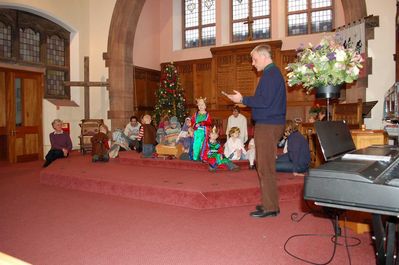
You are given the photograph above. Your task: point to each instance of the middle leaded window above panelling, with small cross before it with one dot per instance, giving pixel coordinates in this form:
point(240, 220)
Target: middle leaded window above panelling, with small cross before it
point(250, 20)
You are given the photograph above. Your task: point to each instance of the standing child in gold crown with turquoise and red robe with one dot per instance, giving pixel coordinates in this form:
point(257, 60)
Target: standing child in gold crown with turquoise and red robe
point(201, 122)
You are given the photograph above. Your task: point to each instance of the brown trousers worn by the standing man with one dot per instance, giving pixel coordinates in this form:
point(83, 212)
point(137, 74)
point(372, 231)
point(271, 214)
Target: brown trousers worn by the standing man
point(266, 139)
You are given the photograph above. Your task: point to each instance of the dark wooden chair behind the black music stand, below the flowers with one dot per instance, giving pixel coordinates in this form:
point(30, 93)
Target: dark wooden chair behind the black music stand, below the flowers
point(350, 113)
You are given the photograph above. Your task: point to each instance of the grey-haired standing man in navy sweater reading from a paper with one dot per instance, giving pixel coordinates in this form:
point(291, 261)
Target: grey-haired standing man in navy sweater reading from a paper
point(268, 111)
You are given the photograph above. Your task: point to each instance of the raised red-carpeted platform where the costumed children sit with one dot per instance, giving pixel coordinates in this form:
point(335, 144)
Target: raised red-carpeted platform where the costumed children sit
point(173, 182)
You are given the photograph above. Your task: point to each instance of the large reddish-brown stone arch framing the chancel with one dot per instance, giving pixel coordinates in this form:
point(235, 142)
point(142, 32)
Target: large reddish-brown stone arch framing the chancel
point(119, 57)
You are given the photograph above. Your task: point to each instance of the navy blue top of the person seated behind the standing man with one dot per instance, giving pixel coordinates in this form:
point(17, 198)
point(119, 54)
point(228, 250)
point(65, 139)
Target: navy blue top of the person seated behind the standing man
point(298, 151)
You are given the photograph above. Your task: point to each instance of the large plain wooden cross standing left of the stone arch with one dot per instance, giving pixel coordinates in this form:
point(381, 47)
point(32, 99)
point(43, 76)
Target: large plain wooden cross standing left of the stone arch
point(86, 84)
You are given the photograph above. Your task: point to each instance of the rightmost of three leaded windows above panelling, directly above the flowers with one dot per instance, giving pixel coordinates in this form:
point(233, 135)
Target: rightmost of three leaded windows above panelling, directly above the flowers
point(309, 16)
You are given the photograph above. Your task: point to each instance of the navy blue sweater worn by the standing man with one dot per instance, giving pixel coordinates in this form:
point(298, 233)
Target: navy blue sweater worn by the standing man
point(269, 102)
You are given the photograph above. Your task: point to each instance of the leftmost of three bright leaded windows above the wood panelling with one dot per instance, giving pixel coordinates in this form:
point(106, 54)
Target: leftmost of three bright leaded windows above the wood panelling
point(199, 23)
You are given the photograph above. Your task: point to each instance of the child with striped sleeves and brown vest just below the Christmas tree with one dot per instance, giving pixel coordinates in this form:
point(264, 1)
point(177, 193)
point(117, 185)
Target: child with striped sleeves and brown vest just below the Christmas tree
point(147, 136)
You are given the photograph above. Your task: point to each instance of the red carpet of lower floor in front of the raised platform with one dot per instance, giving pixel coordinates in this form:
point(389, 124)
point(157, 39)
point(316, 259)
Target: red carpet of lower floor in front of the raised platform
point(47, 225)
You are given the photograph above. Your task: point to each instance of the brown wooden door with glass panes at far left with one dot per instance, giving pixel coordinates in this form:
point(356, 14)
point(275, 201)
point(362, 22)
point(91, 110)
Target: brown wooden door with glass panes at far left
point(21, 123)
